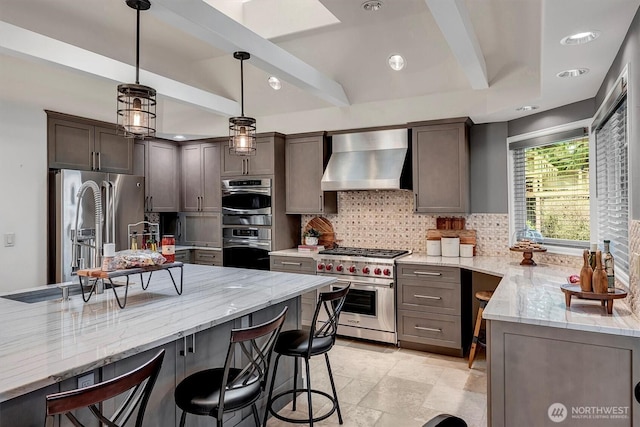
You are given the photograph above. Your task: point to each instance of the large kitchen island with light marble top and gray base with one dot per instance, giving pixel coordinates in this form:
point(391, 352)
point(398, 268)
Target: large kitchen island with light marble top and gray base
point(45, 346)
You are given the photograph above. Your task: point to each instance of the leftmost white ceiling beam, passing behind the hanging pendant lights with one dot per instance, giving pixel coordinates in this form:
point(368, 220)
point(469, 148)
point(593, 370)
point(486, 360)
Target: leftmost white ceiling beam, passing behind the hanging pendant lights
point(17, 41)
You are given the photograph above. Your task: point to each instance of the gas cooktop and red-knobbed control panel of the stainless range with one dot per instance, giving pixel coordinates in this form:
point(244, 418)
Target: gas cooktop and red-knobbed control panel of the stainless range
point(360, 262)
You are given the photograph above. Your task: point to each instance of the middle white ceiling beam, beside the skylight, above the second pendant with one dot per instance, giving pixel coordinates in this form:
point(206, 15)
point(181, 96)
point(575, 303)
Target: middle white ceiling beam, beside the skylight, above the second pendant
point(206, 23)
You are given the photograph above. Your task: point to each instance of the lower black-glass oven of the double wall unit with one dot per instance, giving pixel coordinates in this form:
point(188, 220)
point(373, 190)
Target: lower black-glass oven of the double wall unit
point(246, 247)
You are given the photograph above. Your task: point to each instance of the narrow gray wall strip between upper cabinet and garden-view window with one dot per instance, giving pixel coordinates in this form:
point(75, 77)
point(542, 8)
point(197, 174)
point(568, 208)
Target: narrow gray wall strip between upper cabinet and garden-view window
point(488, 174)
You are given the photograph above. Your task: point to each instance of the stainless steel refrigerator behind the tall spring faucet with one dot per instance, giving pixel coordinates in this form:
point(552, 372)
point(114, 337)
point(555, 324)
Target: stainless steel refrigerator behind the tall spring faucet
point(122, 200)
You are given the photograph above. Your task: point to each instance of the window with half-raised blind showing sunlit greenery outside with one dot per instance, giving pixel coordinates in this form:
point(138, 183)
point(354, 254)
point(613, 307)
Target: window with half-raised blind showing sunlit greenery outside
point(551, 186)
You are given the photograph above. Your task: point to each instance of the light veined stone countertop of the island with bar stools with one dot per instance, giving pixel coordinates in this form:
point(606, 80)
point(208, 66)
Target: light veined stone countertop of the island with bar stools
point(46, 342)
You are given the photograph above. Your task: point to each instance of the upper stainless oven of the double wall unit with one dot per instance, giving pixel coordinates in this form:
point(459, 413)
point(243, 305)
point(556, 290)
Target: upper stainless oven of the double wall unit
point(246, 202)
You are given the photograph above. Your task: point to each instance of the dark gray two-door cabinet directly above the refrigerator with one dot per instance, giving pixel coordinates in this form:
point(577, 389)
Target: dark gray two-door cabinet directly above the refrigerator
point(84, 144)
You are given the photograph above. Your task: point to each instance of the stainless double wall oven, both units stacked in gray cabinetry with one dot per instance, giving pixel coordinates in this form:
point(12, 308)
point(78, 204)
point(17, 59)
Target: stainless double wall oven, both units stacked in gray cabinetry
point(246, 222)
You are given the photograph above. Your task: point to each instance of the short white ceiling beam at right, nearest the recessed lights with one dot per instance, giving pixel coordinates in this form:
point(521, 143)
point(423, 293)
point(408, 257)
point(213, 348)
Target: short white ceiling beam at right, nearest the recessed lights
point(453, 19)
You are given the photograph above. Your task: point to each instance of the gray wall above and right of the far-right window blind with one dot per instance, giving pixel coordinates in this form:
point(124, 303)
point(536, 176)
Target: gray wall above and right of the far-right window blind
point(629, 53)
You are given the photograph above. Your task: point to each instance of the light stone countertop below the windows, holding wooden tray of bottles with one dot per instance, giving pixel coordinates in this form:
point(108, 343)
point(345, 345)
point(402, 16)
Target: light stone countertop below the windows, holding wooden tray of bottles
point(532, 295)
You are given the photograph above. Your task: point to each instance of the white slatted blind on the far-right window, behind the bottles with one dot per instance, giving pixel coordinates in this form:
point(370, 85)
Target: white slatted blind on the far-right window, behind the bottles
point(612, 184)
